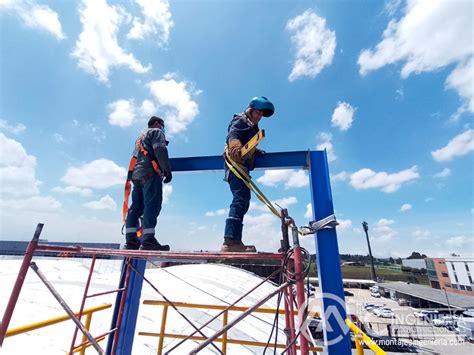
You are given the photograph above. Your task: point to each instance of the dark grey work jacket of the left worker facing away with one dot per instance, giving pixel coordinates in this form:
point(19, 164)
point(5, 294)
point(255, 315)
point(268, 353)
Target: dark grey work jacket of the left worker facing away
point(154, 142)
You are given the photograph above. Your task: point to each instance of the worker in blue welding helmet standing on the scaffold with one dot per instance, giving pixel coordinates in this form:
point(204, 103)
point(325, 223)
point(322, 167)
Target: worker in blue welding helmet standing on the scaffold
point(241, 129)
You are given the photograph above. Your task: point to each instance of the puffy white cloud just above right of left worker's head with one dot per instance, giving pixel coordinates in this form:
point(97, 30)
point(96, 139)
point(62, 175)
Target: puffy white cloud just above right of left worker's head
point(175, 99)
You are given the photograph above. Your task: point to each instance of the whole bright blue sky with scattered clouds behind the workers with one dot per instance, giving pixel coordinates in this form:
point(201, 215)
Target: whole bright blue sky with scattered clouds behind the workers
point(385, 87)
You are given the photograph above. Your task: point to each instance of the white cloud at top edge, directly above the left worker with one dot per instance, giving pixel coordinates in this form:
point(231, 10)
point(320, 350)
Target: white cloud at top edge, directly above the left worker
point(157, 21)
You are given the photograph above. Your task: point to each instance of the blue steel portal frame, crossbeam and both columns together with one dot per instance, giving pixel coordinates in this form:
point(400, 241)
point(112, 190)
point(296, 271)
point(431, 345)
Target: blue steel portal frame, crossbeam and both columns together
point(327, 250)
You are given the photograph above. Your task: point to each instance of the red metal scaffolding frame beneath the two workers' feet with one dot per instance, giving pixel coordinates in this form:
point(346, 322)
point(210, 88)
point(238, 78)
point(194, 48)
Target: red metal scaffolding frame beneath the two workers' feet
point(293, 276)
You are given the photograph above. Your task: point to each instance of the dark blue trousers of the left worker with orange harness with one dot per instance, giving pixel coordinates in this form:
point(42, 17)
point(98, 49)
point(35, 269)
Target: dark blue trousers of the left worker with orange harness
point(147, 196)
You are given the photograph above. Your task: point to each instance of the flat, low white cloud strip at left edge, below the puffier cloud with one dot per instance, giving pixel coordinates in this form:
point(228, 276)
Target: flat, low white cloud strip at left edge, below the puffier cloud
point(43, 204)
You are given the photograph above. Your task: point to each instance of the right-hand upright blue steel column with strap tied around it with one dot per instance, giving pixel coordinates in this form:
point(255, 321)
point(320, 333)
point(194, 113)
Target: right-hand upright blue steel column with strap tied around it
point(327, 254)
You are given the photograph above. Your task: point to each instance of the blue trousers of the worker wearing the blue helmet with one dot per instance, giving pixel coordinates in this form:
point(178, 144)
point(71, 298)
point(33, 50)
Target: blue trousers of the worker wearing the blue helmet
point(238, 208)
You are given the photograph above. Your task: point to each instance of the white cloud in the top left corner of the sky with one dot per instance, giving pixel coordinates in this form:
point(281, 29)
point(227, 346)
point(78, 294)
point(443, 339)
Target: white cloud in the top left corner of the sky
point(35, 16)
